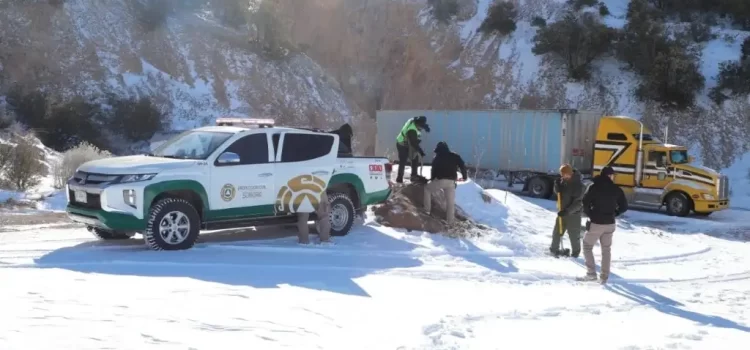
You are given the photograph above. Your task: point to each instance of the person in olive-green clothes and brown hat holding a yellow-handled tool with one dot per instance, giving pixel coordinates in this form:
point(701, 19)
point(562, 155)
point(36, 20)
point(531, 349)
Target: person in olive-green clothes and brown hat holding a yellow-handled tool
point(570, 188)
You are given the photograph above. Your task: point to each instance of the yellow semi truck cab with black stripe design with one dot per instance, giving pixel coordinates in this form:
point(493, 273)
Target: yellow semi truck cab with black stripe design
point(655, 174)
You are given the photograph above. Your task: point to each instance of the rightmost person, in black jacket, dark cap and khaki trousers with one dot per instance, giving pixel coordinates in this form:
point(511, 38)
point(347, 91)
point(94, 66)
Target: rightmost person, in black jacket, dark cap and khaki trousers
point(602, 203)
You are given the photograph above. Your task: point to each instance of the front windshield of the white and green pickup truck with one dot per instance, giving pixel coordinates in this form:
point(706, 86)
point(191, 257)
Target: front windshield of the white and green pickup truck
point(192, 145)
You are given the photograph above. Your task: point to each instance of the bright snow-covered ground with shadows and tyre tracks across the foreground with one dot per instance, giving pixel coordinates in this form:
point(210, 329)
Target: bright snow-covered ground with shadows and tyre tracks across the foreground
point(676, 283)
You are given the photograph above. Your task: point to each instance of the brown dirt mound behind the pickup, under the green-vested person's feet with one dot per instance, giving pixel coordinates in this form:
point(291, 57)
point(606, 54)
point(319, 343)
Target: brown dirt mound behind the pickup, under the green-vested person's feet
point(404, 209)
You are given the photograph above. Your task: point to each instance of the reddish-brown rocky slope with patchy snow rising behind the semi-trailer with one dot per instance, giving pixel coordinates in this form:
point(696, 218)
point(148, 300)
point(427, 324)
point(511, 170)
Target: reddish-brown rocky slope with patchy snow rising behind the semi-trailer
point(396, 55)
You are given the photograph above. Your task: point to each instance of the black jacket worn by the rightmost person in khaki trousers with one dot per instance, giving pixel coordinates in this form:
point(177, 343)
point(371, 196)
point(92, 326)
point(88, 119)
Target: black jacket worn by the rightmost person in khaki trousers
point(604, 201)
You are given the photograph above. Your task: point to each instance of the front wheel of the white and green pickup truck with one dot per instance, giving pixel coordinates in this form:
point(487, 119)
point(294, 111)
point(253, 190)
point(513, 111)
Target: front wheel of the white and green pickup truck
point(173, 224)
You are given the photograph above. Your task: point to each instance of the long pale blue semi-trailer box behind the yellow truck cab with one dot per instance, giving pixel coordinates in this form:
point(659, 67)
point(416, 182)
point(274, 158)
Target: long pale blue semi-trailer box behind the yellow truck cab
point(535, 141)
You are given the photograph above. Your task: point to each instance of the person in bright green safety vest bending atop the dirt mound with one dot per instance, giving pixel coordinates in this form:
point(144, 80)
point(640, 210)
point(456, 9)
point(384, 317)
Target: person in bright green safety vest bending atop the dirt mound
point(407, 145)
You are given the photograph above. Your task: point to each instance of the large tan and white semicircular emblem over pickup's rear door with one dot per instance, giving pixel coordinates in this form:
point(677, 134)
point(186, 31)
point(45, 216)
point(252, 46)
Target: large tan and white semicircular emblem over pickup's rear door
point(300, 194)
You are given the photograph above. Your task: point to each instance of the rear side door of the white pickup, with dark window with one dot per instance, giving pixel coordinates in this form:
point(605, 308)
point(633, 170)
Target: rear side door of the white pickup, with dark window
point(304, 164)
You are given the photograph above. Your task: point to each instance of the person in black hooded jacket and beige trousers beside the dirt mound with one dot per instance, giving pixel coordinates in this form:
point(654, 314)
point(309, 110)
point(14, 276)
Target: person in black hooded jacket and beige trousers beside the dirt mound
point(443, 176)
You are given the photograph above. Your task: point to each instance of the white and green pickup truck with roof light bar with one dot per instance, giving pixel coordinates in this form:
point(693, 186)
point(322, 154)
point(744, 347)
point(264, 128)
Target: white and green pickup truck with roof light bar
point(243, 173)
